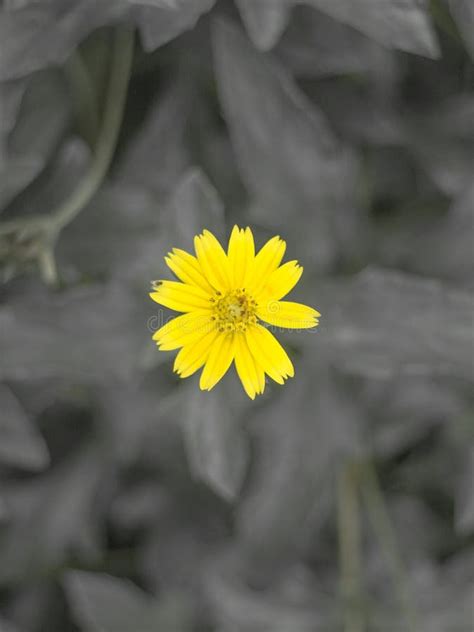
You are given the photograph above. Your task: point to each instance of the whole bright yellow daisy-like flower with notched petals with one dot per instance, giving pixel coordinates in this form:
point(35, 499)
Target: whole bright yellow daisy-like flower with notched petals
point(224, 297)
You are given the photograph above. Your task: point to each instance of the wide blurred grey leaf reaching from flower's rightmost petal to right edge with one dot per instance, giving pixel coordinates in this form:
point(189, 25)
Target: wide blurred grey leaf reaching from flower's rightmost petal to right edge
point(385, 322)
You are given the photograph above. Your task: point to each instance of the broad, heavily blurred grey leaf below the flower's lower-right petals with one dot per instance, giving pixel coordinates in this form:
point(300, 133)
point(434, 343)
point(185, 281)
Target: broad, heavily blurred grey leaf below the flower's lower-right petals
point(303, 435)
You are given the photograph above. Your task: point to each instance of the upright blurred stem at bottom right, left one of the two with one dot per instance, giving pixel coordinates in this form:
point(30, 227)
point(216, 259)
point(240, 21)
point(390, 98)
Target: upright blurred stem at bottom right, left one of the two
point(349, 547)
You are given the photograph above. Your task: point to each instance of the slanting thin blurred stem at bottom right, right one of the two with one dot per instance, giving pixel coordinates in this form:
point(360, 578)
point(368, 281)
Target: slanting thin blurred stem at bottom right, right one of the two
point(383, 527)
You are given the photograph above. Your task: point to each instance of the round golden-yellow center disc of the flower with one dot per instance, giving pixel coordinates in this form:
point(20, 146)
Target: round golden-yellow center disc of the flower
point(234, 311)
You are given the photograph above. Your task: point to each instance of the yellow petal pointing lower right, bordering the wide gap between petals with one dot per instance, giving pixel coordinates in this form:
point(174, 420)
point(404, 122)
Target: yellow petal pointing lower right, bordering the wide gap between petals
point(270, 354)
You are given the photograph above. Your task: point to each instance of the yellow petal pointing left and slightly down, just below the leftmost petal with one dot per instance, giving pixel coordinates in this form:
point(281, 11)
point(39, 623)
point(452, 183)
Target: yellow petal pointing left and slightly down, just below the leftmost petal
point(183, 330)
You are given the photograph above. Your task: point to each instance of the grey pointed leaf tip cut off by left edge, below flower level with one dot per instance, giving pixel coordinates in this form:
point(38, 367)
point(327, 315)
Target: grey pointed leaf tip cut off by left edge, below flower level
point(21, 445)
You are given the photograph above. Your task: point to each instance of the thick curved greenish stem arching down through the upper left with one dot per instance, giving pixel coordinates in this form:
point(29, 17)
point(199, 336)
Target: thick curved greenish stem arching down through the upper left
point(115, 102)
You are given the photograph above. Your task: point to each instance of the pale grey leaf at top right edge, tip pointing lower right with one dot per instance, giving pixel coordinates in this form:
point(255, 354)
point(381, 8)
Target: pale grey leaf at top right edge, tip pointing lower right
point(402, 24)
